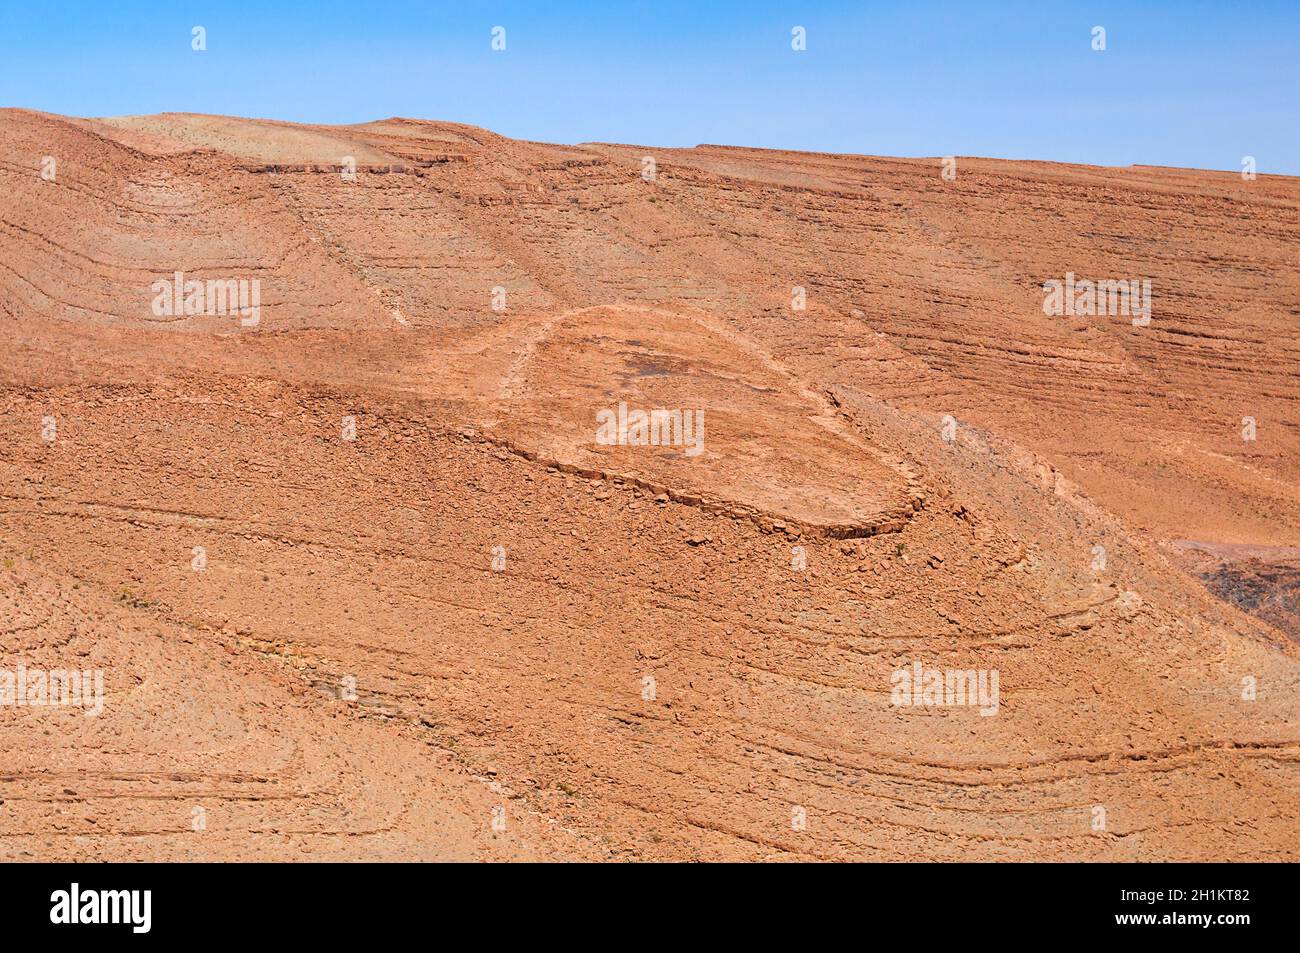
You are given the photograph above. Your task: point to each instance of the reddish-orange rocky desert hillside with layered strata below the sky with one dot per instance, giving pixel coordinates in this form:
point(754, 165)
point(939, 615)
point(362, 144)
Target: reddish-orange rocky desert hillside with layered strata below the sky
point(365, 584)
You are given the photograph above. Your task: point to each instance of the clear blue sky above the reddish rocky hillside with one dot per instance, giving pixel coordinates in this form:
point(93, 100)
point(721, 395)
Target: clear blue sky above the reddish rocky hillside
point(1182, 83)
